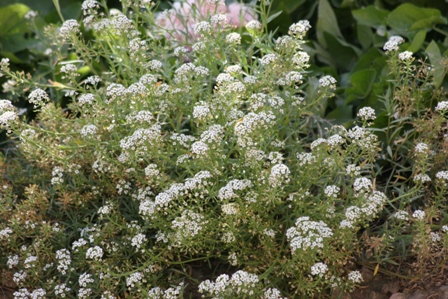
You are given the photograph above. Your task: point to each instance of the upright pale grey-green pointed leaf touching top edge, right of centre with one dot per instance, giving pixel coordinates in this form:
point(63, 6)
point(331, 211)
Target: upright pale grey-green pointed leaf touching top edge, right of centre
point(326, 22)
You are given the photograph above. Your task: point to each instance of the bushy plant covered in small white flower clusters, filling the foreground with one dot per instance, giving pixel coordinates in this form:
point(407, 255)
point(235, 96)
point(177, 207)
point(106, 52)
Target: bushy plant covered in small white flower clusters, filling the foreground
point(193, 161)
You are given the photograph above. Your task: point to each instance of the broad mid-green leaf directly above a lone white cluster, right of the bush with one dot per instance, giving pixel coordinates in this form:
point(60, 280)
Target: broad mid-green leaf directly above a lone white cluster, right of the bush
point(361, 85)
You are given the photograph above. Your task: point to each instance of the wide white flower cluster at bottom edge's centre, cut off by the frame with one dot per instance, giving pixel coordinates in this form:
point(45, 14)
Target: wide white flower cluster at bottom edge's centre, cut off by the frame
point(241, 283)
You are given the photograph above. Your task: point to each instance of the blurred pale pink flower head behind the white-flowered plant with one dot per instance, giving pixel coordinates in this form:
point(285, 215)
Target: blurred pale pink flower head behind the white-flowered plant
point(180, 20)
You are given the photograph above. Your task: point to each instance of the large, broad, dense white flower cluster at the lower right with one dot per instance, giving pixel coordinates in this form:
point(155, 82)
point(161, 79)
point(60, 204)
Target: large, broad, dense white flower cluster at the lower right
point(307, 234)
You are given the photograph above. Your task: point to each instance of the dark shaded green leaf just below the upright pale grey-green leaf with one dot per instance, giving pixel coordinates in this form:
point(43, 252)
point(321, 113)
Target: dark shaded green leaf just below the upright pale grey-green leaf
point(342, 54)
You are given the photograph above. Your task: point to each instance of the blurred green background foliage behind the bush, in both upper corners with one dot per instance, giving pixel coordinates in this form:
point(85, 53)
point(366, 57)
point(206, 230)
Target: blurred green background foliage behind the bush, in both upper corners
point(346, 42)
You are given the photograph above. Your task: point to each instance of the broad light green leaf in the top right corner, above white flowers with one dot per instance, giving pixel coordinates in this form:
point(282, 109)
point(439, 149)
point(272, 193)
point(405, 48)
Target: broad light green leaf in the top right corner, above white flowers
point(408, 18)
